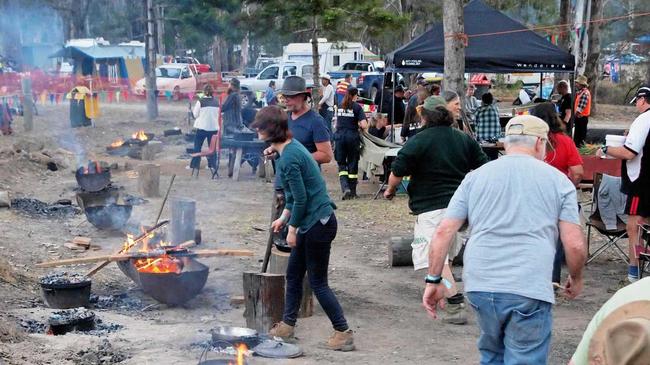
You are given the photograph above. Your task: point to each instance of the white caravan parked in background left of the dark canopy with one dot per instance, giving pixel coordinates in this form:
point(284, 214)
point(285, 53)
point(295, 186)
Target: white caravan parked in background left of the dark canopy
point(332, 54)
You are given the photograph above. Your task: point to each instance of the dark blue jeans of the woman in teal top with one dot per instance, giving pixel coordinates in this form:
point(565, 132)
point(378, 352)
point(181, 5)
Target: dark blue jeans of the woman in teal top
point(311, 255)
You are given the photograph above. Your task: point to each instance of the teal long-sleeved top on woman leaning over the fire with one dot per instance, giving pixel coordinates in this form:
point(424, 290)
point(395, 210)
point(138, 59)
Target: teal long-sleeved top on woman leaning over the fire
point(304, 187)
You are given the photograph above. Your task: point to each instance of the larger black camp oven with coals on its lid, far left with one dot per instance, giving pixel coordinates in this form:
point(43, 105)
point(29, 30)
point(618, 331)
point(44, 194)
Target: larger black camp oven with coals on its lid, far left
point(63, 290)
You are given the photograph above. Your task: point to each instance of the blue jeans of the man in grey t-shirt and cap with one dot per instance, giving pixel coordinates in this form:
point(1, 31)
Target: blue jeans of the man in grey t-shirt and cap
point(514, 329)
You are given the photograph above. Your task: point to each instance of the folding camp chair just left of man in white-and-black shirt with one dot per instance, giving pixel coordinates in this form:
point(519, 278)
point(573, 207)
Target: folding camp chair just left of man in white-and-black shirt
point(595, 221)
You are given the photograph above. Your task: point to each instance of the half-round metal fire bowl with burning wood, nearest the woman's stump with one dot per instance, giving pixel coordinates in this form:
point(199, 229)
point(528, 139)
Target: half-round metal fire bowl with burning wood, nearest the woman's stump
point(169, 288)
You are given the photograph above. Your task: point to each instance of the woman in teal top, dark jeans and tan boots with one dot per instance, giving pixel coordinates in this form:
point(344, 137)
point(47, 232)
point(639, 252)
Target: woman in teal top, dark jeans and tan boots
point(309, 212)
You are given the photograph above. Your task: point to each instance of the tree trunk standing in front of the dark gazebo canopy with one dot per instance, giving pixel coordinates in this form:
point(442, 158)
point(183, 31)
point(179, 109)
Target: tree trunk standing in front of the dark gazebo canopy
point(453, 27)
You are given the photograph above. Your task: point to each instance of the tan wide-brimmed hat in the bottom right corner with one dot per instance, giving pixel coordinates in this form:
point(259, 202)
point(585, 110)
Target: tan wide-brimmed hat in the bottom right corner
point(623, 337)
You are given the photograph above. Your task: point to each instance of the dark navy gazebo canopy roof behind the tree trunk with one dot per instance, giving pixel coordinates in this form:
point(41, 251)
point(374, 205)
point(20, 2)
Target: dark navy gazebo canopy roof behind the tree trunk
point(520, 51)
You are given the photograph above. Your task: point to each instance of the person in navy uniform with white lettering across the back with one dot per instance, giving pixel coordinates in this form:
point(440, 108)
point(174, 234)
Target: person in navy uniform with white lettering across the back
point(349, 118)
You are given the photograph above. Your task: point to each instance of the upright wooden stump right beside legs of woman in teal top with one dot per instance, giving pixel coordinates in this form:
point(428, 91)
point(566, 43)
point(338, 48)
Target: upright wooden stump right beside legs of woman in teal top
point(264, 300)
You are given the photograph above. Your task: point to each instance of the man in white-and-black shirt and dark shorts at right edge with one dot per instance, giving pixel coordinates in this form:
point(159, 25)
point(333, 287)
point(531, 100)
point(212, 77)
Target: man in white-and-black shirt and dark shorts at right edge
point(635, 174)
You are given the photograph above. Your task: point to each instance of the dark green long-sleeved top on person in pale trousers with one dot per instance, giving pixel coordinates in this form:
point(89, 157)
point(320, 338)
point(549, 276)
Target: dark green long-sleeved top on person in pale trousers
point(437, 159)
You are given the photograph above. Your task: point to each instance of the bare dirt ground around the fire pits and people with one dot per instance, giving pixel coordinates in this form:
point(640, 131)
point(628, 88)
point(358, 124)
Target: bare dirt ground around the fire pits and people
point(382, 303)
